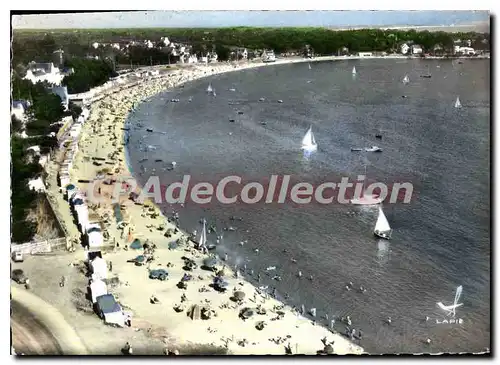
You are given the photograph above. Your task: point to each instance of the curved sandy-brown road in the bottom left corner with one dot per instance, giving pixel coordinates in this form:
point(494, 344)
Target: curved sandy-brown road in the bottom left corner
point(40, 329)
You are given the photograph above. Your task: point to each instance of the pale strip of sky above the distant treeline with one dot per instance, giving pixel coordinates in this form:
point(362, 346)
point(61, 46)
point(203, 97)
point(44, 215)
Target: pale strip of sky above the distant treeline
point(190, 19)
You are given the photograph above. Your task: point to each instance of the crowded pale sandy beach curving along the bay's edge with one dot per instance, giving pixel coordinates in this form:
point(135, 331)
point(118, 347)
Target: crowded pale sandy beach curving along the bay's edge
point(279, 325)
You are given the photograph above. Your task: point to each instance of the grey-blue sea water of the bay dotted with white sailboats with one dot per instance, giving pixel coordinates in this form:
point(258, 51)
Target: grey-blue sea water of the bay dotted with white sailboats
point(441, 239)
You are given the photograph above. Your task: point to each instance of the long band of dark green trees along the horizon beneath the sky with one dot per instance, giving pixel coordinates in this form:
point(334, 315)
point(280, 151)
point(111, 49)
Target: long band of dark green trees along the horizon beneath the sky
point(31, 45)
